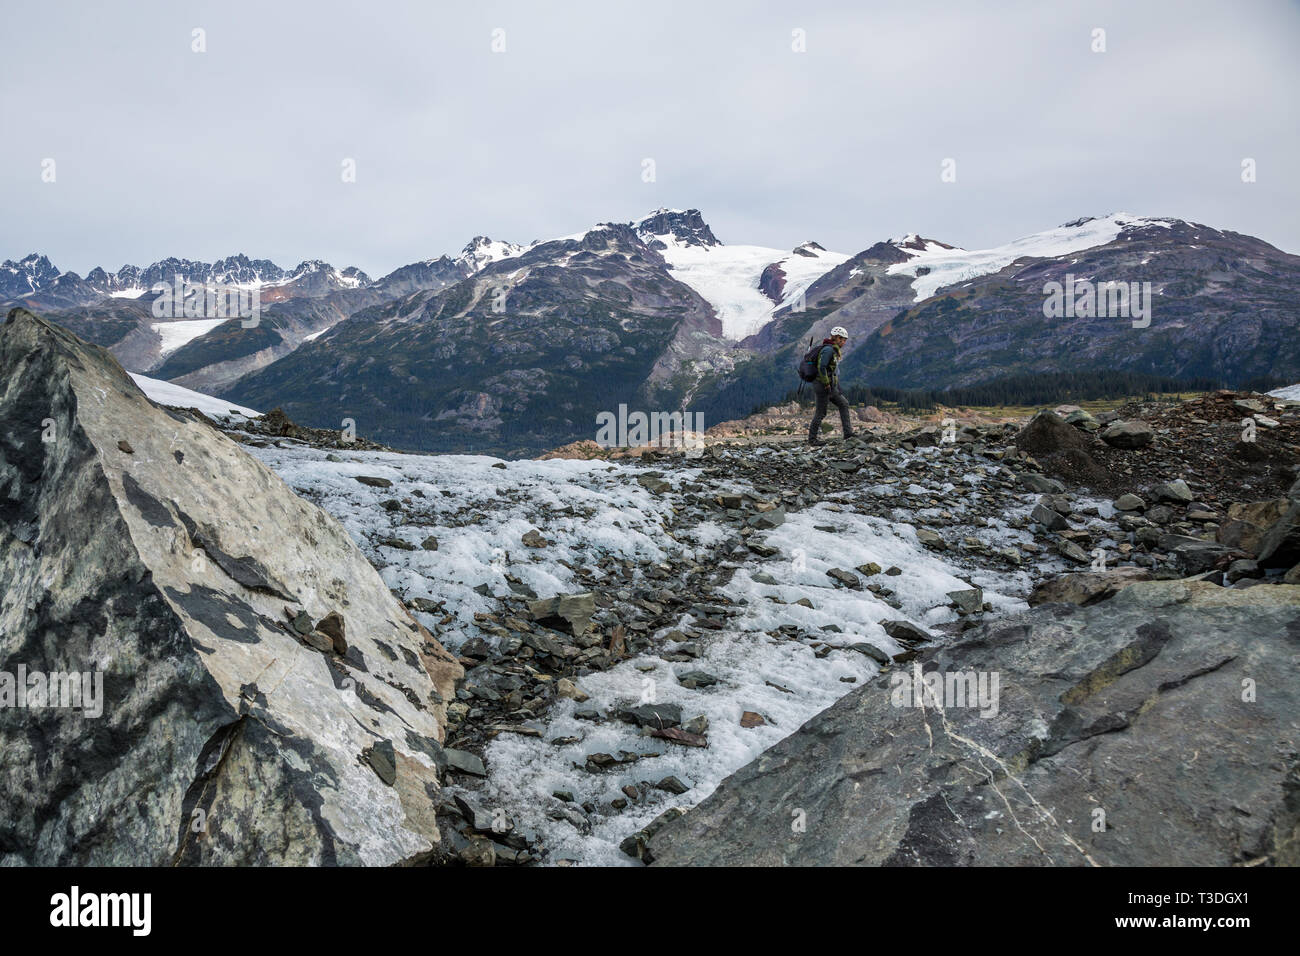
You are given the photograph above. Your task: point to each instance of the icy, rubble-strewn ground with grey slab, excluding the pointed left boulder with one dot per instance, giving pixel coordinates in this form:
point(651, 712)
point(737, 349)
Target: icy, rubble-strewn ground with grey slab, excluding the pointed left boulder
point(643, 637)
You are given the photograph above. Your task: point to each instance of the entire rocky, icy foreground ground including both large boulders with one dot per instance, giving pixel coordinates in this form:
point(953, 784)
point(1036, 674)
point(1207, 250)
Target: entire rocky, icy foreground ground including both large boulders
point(465, 660)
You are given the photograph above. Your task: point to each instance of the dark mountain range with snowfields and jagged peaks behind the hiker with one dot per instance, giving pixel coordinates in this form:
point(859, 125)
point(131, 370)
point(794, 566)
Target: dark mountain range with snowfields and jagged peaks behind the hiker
point(513, 349)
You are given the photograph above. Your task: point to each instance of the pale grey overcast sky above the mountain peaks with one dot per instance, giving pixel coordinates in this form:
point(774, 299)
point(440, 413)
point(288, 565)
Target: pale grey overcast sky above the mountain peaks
point(164, 152)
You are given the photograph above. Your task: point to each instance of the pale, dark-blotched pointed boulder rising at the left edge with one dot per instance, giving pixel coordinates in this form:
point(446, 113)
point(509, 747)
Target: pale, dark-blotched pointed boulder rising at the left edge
point(144, 550)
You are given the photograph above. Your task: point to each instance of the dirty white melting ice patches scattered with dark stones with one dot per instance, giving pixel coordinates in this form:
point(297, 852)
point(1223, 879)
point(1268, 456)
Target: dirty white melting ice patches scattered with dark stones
point(595, 509)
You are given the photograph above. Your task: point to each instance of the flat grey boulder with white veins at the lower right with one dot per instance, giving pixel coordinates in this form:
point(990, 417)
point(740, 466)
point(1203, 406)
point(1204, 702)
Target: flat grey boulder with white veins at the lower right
point(1130, 734)
